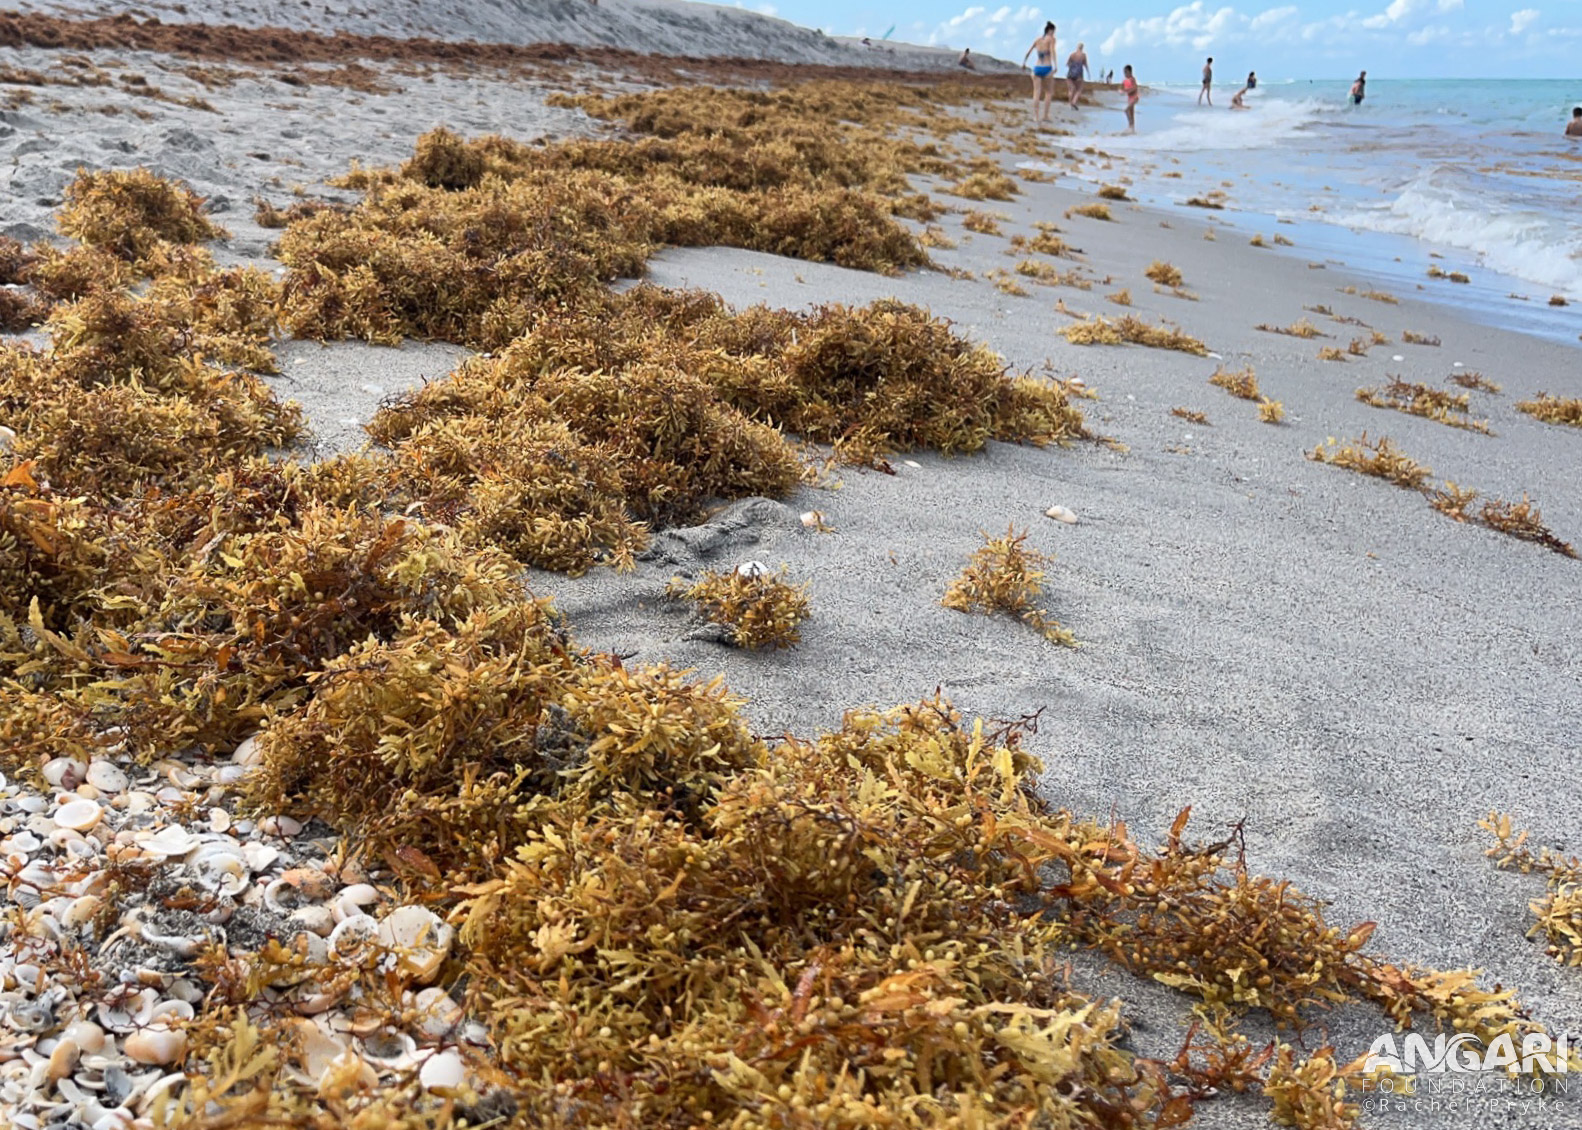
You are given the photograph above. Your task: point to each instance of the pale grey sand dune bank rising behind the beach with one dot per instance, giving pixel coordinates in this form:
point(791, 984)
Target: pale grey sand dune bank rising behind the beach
point(665, 28)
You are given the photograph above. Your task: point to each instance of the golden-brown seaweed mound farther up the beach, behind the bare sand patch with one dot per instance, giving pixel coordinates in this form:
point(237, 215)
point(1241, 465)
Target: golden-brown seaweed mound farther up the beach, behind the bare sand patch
point(475, 241)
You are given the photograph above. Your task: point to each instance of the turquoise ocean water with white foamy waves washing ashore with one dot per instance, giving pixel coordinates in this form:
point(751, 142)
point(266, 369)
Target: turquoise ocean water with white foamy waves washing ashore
point(1470, 176)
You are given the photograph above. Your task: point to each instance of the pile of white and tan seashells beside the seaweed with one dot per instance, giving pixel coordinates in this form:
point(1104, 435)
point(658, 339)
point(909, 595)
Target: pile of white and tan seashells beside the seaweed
point(119, 879)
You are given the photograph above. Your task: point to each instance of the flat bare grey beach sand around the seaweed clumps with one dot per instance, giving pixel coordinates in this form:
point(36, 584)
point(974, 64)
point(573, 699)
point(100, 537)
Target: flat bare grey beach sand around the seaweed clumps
point(1271, 642)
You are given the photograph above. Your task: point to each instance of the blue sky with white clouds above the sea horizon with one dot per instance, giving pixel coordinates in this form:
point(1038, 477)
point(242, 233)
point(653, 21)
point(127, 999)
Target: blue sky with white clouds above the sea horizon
point(1301, 39)
